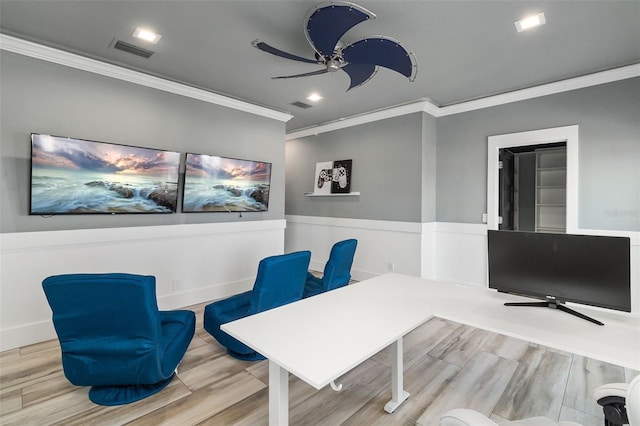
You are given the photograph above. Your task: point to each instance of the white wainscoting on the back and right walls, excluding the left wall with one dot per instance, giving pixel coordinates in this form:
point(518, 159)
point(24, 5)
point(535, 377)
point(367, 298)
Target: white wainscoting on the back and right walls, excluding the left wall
point(455, 252)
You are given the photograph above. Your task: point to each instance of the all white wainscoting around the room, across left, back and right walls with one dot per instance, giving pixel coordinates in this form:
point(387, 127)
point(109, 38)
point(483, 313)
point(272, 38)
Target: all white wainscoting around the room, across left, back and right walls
point(198, 263)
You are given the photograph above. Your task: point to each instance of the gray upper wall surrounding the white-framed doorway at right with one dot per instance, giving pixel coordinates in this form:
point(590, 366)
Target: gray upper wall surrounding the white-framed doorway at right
point(609, 152)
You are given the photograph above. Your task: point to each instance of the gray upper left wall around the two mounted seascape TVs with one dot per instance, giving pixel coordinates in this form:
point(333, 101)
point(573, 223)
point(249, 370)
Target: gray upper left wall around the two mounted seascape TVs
point(46, 98)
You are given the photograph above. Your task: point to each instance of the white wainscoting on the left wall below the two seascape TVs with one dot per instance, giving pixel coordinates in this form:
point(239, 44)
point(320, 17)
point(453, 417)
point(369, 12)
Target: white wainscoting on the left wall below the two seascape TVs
point(192, 264)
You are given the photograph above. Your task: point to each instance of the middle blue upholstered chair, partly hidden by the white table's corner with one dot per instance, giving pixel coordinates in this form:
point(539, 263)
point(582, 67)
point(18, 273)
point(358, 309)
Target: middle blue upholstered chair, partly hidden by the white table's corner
point(280, 280)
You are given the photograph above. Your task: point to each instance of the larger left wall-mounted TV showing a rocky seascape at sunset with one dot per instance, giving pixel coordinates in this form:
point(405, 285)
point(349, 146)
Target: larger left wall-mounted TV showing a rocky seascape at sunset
point(77, 176)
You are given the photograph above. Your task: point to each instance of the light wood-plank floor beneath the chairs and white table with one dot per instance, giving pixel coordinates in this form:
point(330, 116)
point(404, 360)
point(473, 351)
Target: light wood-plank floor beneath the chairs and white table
point(447, 365)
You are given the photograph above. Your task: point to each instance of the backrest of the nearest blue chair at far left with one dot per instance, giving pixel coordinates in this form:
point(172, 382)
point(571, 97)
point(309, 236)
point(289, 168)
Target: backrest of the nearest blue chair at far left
point(108, 326)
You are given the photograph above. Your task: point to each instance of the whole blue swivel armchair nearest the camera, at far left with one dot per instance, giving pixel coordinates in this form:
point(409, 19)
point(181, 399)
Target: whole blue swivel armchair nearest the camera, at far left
point(112, 336)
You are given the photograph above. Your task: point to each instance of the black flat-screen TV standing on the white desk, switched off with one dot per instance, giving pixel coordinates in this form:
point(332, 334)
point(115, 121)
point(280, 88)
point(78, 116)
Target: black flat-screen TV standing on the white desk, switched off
point(558, 268)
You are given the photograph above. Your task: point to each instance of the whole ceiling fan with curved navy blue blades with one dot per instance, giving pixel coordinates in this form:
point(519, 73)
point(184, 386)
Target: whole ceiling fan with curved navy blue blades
point(324, 26)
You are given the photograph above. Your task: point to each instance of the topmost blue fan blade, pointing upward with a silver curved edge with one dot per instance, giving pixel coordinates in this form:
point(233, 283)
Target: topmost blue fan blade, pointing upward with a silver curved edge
point(326, 25)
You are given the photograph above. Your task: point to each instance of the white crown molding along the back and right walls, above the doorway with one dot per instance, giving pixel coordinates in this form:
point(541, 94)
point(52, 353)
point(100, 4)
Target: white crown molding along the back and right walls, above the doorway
point(609, 76)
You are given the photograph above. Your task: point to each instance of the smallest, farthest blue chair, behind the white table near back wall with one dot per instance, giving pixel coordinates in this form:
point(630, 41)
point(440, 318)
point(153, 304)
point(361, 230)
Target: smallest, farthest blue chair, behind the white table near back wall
point(337, 271)
